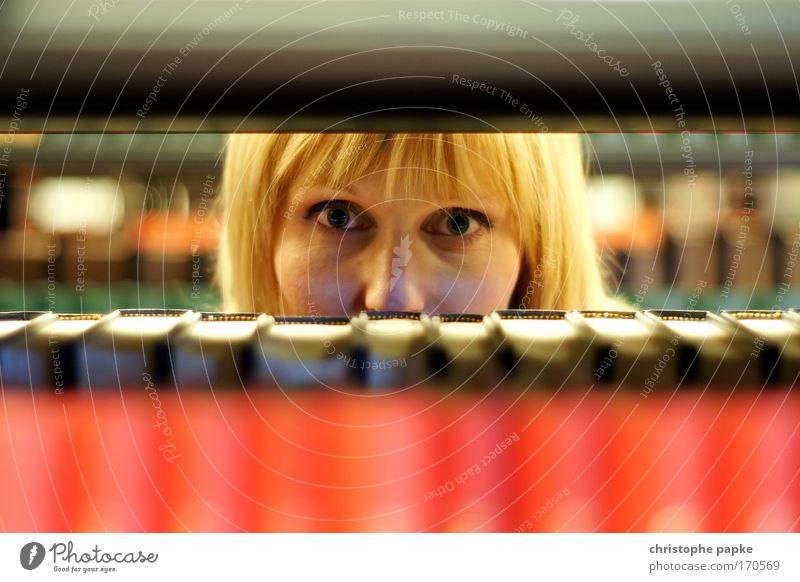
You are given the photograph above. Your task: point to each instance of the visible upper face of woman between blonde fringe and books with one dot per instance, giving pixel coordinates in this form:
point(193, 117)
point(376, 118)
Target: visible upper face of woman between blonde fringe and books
point(341, 252)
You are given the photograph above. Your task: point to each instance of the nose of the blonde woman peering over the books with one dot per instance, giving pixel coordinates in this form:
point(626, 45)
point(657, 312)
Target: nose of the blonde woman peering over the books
point(392, 279)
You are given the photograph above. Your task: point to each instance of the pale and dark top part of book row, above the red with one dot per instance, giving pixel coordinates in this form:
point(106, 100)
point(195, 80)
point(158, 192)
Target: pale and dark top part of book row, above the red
point(638, 351)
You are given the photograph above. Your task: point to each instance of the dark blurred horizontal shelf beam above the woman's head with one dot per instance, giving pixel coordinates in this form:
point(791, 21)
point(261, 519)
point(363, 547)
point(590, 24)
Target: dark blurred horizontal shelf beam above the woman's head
point(399, 66)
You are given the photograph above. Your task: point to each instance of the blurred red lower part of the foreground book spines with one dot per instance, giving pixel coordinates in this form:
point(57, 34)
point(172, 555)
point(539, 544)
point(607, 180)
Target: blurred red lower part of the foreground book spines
point(582, 460)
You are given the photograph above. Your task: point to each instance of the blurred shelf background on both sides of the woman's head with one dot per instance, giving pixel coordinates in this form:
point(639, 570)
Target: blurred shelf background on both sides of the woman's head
point(96, 222)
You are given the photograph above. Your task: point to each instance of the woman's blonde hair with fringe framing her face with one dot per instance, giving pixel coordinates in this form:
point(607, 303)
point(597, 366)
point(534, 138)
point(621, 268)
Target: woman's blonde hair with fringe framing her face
point(540, 177)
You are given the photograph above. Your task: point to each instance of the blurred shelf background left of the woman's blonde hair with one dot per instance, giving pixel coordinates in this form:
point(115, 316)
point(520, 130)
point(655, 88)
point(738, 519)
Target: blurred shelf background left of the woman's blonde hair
point(95, 222)
